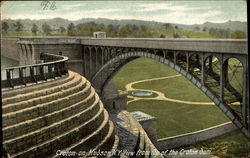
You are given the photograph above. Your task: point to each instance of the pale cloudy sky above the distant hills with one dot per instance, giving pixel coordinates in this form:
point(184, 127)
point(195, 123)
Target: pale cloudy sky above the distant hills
point(180, 12)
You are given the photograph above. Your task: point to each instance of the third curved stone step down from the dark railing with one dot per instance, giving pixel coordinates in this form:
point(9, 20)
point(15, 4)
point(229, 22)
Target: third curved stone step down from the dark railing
point(70, 87)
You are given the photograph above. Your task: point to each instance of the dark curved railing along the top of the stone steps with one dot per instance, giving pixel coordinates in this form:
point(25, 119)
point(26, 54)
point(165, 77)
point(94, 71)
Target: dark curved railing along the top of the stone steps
point(52, 66)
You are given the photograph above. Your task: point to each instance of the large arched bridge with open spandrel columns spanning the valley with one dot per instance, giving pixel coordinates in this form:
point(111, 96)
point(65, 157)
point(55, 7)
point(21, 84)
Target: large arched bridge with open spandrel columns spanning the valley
point(219, 68)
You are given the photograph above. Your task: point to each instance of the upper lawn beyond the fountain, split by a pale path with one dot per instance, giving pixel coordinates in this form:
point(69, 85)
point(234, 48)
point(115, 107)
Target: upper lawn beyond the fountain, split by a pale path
point(176, 88)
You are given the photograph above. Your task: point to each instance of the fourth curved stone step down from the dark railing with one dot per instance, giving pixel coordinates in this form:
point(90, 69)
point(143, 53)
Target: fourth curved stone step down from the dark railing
point(49, 107)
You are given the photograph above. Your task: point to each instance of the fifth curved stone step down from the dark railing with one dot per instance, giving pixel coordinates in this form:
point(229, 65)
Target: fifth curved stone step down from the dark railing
point(46, 120)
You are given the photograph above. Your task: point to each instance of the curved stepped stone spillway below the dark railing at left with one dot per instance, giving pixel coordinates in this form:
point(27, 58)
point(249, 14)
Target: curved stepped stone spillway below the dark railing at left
point(60, 114)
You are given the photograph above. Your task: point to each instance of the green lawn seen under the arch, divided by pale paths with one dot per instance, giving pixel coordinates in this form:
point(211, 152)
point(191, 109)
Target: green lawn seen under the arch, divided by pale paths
point(169, 115)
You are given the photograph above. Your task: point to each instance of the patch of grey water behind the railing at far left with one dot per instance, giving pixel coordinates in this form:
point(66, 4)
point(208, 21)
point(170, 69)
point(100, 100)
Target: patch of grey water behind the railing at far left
point(7, 62)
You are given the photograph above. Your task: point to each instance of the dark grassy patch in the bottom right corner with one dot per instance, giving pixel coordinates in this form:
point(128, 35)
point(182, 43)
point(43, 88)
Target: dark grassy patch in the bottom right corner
point(231, 145)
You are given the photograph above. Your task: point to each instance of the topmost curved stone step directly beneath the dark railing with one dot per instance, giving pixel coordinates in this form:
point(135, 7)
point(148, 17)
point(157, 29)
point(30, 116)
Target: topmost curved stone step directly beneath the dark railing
point(36, 86)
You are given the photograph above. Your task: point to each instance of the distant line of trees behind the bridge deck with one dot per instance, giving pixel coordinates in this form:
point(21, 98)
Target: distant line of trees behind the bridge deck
point(129, 30)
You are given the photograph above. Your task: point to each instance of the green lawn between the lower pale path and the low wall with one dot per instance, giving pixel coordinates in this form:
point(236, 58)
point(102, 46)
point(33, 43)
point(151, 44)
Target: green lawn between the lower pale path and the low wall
point(176, 118)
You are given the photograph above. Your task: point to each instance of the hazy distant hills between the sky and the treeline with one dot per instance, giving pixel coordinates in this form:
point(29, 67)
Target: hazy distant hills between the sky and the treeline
point(57, 22)
